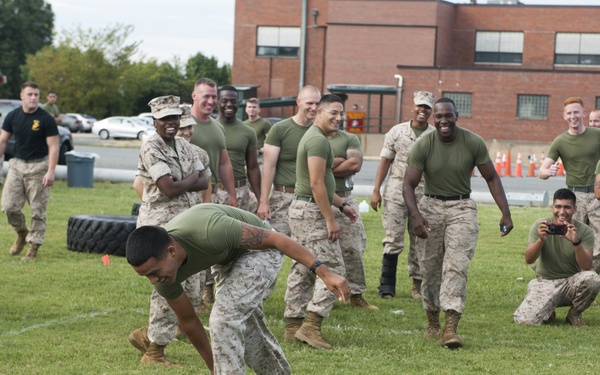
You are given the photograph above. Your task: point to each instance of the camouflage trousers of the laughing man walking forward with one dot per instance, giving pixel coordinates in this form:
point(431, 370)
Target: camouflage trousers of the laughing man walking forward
point(445, 255)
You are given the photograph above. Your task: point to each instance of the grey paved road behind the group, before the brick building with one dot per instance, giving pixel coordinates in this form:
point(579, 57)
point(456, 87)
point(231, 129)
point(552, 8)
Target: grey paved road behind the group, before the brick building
point(122, 154)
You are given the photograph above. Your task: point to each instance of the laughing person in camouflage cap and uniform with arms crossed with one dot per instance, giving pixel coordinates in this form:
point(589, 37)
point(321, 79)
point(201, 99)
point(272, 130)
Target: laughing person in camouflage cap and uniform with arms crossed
point(172, 175)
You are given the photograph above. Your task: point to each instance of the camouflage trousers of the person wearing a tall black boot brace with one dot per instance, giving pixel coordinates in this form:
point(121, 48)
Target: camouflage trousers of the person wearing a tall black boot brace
point(394, 219)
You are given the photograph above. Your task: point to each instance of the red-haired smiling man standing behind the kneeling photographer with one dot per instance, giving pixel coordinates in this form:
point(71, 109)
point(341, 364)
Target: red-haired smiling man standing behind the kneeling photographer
point(578, 150)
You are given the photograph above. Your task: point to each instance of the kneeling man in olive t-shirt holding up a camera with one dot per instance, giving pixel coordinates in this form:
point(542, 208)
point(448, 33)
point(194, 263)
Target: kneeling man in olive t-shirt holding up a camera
point(562, 248)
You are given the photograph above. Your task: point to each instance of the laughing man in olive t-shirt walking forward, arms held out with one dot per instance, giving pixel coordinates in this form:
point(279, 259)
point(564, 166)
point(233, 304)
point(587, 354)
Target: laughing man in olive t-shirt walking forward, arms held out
point(445, 219)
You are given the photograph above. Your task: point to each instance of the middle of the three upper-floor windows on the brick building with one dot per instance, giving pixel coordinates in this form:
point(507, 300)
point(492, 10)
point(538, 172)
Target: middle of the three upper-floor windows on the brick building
point(499, 47)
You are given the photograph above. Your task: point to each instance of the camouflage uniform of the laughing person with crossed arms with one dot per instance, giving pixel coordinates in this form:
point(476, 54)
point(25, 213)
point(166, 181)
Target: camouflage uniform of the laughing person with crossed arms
point(157, 159)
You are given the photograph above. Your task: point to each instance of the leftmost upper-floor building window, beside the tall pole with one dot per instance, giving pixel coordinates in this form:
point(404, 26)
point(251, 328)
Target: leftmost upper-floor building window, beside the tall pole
point(277, 41)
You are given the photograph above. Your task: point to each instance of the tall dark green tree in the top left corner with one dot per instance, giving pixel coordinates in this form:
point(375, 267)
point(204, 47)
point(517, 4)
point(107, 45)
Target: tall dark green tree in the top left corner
point(25, 27)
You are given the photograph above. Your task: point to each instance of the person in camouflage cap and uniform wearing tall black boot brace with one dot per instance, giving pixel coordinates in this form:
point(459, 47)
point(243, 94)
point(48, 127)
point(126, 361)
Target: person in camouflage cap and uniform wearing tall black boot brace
point(396, 145)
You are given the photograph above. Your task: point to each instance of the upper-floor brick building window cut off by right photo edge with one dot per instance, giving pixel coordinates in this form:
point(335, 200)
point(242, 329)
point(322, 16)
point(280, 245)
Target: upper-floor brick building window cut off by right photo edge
point(577, 49)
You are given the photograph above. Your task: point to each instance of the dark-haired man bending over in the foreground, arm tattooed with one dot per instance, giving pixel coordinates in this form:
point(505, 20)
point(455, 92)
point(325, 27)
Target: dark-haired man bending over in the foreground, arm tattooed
point(240, 248)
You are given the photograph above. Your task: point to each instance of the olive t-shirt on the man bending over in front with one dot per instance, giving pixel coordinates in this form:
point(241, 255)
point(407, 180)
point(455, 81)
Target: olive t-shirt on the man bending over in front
point(210, 234)
